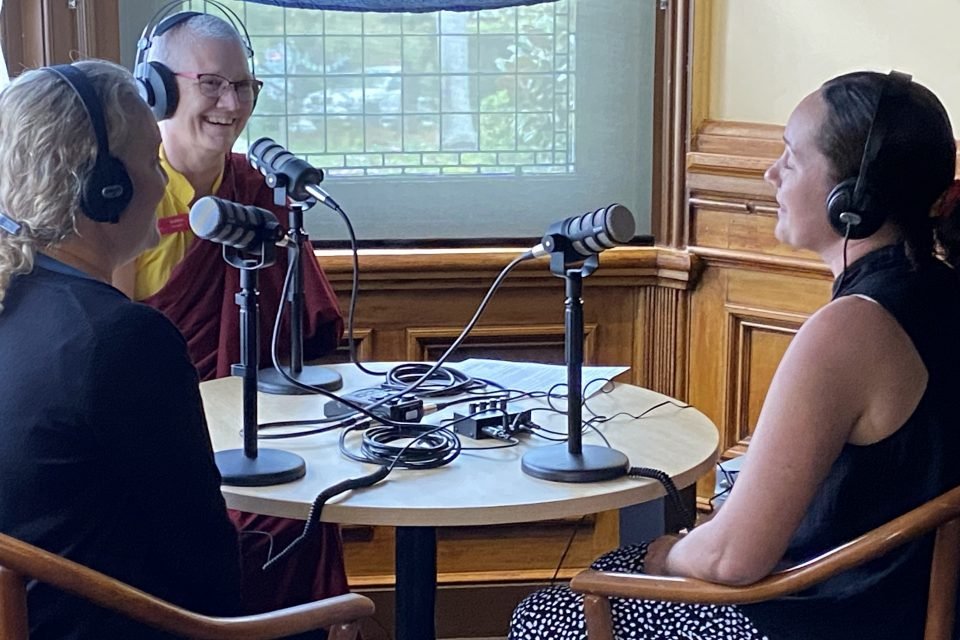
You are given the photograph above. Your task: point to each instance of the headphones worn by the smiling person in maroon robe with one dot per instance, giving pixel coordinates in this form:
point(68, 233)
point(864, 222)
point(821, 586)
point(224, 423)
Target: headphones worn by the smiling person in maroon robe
point(157, 82)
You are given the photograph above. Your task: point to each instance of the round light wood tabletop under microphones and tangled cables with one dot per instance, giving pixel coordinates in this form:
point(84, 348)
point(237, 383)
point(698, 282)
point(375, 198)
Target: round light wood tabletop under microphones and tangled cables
point(478, 487)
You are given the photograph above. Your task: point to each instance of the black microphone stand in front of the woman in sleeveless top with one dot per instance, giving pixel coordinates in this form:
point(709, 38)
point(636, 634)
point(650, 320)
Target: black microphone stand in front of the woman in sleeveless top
point(574, 461)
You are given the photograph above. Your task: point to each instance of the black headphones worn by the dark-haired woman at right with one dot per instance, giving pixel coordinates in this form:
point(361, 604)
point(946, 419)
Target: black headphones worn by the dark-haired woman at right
point(850, 209)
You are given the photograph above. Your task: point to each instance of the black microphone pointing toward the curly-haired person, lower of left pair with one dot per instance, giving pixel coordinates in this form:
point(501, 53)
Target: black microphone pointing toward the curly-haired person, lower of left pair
point(243, 227)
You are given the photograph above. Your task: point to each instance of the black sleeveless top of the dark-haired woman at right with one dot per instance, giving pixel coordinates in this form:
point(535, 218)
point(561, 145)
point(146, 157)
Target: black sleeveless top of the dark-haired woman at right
point(870, 485)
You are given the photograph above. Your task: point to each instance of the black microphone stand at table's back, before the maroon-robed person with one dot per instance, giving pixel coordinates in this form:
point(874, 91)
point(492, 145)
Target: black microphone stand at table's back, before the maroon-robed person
point(271, 380)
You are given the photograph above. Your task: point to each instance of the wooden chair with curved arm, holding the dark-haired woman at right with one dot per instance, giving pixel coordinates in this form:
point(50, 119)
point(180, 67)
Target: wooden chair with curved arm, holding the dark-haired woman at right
point(942, 514)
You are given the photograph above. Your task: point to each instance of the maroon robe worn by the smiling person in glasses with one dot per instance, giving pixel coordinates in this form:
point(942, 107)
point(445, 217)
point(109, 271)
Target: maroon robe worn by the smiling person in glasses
point(199, 299)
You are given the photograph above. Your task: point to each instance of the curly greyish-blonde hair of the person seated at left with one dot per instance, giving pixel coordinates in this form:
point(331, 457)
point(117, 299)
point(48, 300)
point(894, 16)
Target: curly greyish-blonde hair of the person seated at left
point(47, 152)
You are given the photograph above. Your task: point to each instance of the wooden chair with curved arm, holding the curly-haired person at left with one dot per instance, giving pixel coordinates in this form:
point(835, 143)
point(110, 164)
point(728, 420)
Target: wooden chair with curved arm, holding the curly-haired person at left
point(20, 562)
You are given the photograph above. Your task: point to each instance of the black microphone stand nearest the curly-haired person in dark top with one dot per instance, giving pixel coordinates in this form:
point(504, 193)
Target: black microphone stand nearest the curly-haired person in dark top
point(250, 467)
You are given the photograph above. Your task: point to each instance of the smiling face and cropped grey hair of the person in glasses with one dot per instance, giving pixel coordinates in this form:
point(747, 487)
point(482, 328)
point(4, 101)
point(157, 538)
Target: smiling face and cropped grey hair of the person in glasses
point(203, 127)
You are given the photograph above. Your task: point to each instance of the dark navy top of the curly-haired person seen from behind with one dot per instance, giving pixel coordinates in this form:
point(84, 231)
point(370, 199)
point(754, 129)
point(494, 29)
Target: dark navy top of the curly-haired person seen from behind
point(105, 455)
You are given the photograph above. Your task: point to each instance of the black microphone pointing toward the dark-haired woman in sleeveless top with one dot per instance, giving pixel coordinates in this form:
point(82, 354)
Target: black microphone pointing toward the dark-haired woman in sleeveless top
point(588, 234)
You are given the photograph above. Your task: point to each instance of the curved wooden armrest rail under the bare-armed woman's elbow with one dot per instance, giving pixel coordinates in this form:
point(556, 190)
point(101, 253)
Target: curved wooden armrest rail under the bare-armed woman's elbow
point(870, 545)
